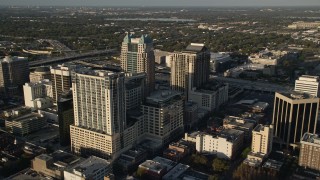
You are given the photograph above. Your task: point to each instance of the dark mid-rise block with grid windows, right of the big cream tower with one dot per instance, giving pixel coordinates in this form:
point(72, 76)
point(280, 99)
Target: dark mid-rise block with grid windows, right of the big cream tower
point(163, 115)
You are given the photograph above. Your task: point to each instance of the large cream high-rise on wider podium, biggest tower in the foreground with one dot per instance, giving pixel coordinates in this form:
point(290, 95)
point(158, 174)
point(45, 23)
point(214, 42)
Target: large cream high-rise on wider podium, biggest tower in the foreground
point(99, 112)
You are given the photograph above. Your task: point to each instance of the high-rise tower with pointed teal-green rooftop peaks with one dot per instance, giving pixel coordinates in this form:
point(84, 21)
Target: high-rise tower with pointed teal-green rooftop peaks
point(137, 56)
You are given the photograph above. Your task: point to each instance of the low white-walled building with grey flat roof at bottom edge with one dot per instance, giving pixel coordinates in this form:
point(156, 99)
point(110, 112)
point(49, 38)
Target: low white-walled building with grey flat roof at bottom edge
point(93, 168)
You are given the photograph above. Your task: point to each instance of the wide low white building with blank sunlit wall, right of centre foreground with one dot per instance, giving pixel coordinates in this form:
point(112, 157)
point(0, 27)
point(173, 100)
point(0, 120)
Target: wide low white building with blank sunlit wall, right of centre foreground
point(227, 144)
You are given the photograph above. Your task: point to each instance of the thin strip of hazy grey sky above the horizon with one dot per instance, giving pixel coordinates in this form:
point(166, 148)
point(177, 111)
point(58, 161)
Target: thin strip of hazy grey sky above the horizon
point(211, 3)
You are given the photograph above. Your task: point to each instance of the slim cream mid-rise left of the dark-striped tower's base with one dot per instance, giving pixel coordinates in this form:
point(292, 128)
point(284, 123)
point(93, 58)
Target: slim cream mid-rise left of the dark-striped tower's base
point(262, 137)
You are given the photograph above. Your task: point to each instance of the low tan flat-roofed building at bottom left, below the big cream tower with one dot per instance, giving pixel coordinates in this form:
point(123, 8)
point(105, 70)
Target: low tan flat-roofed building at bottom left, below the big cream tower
point(53, 165)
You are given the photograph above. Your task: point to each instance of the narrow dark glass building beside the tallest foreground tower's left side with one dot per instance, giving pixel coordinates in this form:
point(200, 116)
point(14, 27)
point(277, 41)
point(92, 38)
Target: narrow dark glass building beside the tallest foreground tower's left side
point(66, 117)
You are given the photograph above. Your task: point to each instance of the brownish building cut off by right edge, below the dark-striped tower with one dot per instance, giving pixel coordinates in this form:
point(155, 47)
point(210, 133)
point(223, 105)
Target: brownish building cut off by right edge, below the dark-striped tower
point(310, 151)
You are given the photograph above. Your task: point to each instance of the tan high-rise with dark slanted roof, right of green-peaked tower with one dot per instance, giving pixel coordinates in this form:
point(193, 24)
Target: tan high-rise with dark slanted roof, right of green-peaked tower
point(190, 69)
